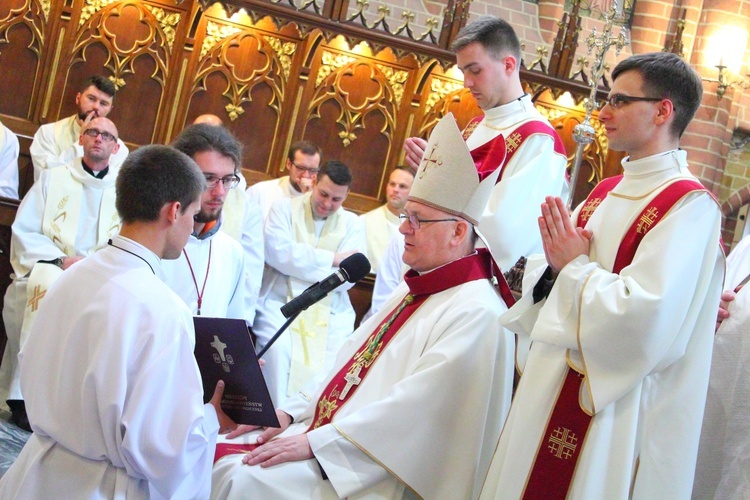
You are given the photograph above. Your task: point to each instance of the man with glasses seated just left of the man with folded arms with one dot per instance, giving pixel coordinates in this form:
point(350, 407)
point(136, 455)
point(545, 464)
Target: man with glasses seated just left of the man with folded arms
point(303, 165)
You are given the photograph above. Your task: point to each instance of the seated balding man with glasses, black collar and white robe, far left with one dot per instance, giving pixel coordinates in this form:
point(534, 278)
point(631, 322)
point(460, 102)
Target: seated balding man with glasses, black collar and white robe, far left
point(68, 214)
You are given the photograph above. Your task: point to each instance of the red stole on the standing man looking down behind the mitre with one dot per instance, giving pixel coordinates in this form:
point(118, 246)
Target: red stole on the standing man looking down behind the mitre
point(498, 152)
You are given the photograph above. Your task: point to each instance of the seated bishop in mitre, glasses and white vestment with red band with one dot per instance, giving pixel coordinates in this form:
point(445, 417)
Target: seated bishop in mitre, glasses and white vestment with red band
point(417, 396)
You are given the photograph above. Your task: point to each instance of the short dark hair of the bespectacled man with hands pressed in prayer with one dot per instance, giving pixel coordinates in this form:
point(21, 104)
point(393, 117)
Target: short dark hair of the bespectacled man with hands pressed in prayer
point(667, 76)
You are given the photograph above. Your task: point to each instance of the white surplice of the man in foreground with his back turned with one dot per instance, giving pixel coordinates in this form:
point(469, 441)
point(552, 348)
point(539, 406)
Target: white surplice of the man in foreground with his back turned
point(114, 395)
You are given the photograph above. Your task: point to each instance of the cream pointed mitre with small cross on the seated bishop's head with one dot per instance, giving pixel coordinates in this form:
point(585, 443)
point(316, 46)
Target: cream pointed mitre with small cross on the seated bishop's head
point(447, 178)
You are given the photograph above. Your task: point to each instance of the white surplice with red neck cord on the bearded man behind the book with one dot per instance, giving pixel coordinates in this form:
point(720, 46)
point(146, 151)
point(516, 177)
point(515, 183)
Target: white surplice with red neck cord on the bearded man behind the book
point(220, 279)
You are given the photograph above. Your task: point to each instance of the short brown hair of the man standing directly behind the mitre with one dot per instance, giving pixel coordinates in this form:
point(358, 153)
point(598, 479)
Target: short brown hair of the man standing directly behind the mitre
point(496, 35)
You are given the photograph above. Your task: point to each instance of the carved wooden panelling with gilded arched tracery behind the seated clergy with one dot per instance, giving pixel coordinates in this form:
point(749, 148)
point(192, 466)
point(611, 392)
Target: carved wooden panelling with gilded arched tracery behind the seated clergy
point(271, 80)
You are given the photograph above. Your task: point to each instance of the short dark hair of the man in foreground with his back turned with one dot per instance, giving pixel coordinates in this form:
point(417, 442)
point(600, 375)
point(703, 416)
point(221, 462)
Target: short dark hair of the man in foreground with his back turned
point(153, 176)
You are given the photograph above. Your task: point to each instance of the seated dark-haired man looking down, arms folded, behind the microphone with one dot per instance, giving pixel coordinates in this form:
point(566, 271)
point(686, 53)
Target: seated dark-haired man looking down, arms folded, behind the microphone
point(306, 239)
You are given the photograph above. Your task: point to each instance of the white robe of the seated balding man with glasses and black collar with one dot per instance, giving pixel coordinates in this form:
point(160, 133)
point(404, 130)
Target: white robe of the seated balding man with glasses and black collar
point(29, 245)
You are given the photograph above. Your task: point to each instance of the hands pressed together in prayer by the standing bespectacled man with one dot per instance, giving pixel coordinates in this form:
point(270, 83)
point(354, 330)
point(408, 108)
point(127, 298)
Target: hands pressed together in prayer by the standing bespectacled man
point(561, 239)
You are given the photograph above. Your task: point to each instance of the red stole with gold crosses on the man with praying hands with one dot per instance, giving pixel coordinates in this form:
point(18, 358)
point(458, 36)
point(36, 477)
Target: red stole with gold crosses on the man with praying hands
point(562, 441)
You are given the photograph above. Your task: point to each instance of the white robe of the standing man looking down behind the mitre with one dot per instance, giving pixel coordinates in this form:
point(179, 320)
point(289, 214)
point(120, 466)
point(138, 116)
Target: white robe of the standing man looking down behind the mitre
point(509, 223)
